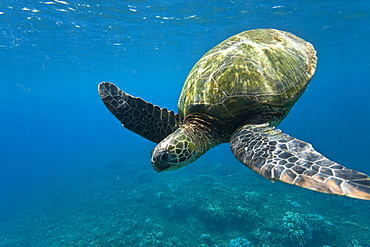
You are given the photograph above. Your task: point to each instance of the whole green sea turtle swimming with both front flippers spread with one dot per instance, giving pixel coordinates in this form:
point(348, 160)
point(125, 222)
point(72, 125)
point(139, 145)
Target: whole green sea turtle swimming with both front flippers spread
point(237, 93)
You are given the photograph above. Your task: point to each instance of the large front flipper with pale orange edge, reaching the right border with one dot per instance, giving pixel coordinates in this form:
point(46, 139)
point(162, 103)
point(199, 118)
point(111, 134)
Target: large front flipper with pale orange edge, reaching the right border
point(278, 156)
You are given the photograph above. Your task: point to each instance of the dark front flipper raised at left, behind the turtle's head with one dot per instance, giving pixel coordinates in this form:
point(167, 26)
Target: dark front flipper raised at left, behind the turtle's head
point(137, 115)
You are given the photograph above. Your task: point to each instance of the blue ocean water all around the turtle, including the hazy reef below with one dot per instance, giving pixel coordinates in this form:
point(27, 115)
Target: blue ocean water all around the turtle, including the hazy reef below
point(70, 175)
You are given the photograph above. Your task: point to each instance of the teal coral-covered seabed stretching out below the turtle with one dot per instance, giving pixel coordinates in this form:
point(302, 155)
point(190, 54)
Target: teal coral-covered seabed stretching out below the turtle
point(194, 207)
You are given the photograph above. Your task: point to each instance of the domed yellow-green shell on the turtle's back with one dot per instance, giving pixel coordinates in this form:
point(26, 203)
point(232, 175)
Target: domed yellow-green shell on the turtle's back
point(261, 67)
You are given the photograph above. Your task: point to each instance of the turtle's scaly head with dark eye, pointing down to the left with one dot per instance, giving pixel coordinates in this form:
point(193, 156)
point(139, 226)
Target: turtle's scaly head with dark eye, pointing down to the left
point(175, 151)
